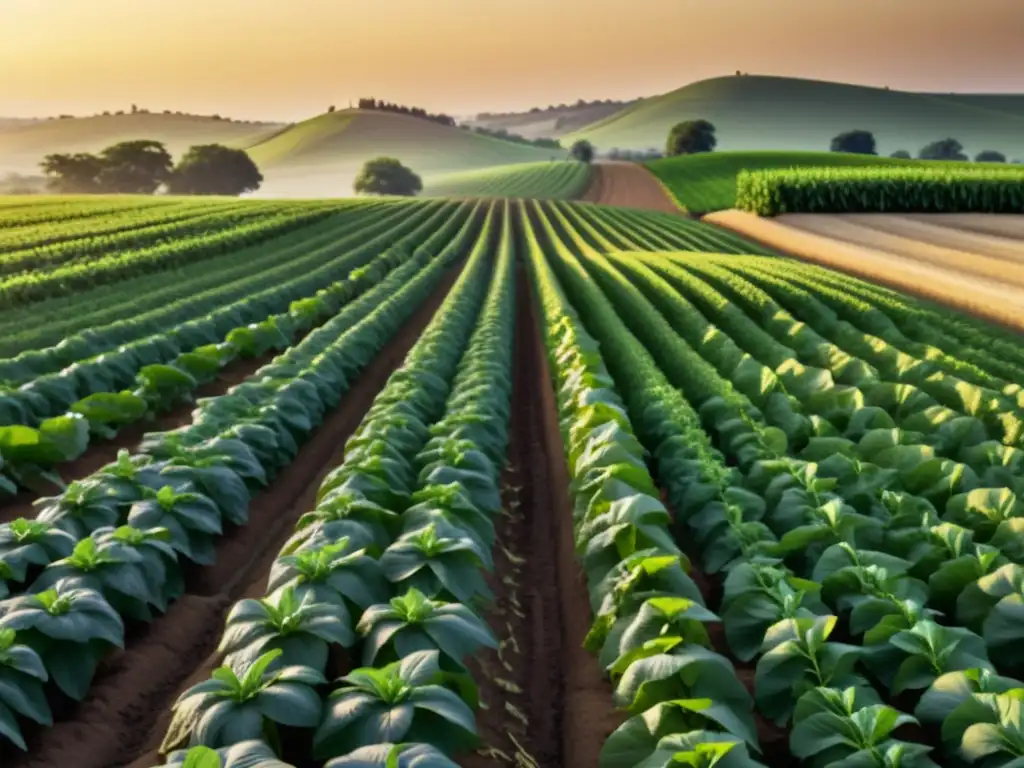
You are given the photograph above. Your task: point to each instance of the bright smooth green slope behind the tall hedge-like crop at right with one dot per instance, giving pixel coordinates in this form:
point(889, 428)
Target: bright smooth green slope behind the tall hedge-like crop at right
point(708, 182)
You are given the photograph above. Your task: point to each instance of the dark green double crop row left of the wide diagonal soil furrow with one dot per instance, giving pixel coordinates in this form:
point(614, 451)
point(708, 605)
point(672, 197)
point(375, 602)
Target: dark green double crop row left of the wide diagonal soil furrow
point(113, 546)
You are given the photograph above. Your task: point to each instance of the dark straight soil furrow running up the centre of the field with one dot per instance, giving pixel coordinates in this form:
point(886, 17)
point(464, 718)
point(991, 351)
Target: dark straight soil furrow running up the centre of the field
point(522, 685)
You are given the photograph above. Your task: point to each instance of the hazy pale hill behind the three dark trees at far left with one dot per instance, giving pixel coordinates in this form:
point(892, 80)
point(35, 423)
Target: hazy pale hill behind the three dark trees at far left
point(23, 146)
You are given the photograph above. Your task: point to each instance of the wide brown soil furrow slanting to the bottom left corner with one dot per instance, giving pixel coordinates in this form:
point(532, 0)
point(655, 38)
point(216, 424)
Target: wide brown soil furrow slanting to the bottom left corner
point(127, 711)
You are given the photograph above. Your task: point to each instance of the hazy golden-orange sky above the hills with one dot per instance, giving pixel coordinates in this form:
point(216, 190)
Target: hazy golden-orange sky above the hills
point(288, 60)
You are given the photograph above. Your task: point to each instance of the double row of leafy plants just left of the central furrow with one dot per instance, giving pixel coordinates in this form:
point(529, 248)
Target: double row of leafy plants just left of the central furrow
point(388, 566)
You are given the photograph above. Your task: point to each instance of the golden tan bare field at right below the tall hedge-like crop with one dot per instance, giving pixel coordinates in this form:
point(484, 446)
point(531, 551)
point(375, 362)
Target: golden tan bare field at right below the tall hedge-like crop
point(988, 286)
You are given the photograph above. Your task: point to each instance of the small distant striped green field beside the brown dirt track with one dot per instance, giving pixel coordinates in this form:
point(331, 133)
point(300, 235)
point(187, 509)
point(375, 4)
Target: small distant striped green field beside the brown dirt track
point(552, 181)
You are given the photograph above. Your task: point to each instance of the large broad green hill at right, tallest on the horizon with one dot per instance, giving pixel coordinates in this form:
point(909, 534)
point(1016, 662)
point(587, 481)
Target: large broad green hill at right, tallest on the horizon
point(774, 113)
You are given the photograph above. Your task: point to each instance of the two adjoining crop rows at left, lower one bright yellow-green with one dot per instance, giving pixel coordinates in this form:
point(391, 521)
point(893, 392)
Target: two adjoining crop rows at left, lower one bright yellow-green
point(51, 419)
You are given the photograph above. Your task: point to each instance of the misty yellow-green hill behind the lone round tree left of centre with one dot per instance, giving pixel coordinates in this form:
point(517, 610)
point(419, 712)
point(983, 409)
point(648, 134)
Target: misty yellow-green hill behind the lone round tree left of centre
point(321, 157)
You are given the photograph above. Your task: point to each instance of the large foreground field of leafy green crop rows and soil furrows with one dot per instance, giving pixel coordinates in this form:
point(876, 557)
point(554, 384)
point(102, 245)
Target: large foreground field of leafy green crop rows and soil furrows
point(515, 483)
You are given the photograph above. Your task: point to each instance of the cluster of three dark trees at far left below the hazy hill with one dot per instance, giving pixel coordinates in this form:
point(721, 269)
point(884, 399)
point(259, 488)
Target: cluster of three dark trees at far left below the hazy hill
point(144, 167)
